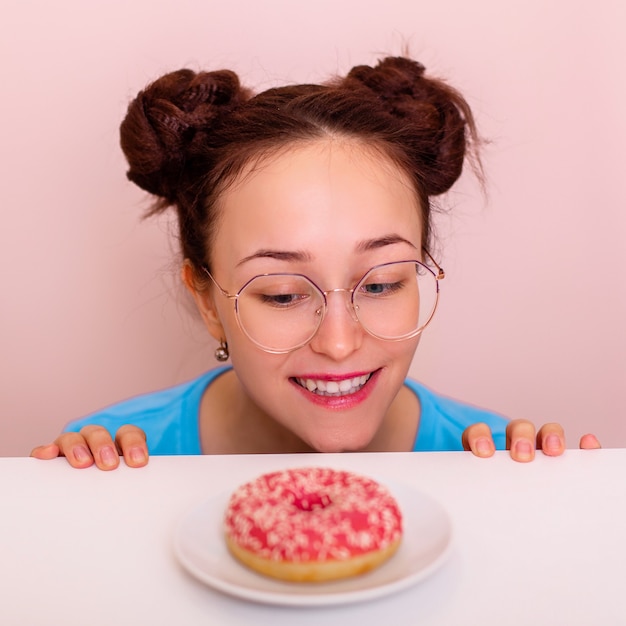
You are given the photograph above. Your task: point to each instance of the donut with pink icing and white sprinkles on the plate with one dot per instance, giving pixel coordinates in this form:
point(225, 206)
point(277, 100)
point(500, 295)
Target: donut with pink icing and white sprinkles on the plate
point(312, 524)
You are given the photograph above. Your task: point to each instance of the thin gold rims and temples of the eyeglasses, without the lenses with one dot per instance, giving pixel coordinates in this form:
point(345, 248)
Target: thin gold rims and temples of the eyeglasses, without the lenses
point(438, 275)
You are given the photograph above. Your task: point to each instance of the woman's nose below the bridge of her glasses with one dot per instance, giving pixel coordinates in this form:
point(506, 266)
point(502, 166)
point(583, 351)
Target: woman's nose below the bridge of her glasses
point(340, 332)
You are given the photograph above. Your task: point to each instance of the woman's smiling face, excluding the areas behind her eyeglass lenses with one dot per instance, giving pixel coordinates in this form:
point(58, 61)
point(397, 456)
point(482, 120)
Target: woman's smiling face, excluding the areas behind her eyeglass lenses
point(329, 210)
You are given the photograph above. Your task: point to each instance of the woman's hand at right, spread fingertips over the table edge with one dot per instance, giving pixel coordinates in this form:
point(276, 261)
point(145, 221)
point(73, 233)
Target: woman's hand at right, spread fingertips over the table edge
point(522, 440)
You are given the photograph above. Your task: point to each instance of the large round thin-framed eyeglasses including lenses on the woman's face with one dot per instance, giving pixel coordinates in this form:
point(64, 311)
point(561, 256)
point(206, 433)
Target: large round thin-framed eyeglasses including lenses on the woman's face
point(283, 312)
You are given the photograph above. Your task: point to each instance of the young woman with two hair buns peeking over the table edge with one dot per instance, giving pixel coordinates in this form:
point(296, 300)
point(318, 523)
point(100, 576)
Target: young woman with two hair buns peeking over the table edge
point(304, 215)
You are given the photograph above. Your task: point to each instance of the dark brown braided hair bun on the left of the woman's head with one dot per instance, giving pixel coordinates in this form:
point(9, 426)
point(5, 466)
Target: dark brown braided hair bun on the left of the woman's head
point(160, 132)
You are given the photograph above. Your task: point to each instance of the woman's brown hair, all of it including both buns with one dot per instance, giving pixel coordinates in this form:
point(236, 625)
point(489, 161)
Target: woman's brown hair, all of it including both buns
point(189, 135)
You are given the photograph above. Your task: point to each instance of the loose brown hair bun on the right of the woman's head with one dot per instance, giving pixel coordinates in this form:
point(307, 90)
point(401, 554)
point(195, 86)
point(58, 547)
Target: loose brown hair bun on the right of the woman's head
point(432, 112)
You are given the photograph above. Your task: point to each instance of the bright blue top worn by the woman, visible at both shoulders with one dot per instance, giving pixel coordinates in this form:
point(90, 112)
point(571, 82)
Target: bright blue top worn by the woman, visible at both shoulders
point(170, 418)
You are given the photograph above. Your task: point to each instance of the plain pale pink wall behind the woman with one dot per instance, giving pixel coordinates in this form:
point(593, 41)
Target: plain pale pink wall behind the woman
point(533, 310)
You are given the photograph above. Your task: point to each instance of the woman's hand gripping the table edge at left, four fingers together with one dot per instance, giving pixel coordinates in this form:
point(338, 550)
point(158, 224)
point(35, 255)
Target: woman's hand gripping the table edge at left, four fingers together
point(94, 444)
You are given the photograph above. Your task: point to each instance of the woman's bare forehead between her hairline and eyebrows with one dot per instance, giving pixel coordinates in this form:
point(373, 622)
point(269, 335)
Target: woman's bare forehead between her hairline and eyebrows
point(316, 196)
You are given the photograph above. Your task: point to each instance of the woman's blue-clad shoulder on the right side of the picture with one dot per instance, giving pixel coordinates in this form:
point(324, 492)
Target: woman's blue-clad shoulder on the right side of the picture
point(443, 420)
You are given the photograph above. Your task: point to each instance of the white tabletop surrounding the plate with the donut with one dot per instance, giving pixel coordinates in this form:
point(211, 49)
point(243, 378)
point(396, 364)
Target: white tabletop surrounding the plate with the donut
point(539, 543)
